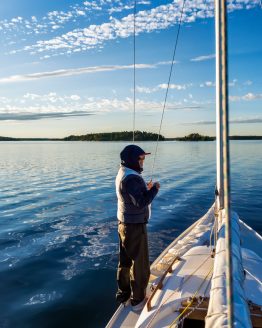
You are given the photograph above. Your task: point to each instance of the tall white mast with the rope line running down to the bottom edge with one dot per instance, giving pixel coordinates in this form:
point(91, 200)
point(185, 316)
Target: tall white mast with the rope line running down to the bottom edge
point(223, 172)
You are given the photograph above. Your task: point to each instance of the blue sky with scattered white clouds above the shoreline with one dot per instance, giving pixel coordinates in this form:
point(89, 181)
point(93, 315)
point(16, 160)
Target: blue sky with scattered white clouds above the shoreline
point(67, 67)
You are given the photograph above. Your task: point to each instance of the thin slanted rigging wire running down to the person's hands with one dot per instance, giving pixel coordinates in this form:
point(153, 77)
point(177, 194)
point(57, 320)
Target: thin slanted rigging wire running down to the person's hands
point(168, 85)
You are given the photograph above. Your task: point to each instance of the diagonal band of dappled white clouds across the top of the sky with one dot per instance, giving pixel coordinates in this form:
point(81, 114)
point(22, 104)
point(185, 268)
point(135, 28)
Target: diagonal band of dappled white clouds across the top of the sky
point(158, 18)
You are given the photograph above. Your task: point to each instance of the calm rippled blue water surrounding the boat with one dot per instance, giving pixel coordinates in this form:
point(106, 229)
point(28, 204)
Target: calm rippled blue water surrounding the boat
point(58, 231)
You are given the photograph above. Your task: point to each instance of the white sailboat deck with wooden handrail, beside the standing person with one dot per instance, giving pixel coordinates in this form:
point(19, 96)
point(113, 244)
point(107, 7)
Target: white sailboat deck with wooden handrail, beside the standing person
point(181, 278)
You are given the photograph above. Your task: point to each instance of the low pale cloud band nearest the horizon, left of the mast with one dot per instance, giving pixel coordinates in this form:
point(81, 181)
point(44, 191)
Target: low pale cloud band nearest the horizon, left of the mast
point(39, 106)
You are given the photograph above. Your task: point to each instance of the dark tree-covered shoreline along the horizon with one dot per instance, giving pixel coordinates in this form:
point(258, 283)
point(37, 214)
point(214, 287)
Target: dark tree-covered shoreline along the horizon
point(128, 136)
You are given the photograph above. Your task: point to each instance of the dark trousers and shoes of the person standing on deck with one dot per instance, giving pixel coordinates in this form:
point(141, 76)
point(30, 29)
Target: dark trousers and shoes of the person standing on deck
point(133, 267)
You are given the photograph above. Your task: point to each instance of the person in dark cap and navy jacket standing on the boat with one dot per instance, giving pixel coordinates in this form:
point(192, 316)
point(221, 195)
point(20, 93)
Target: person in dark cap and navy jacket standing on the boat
point(134, 199)
